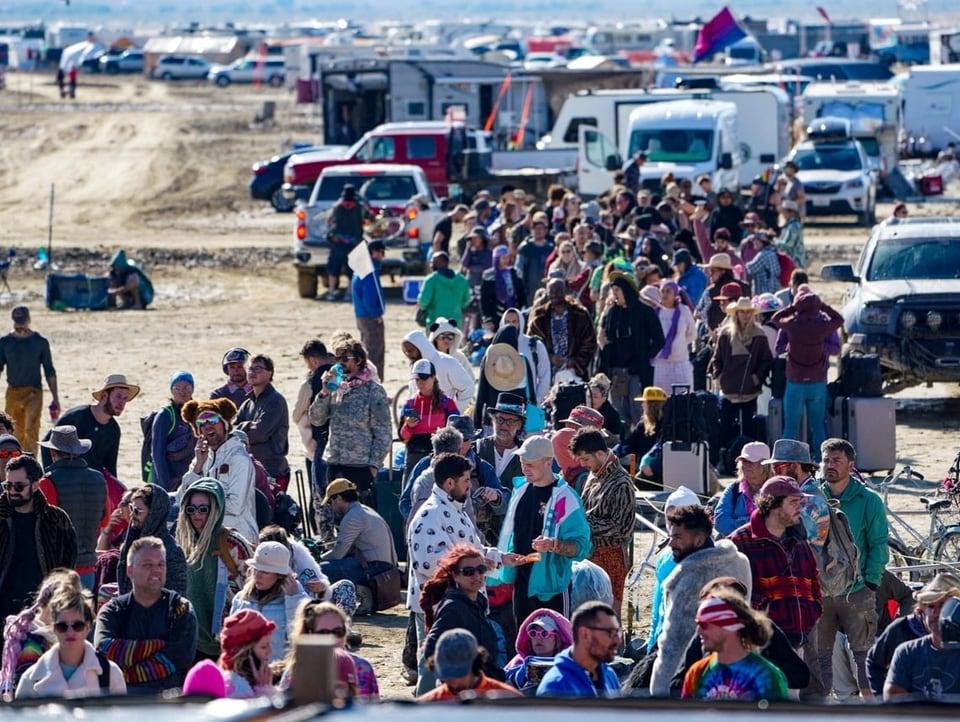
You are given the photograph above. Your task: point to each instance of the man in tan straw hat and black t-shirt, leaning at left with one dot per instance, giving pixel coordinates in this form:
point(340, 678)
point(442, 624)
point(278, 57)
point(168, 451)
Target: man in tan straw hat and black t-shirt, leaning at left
point(97, 422)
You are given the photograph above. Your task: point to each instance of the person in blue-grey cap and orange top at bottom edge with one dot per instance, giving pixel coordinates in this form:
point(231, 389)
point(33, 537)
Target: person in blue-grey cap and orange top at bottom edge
point(458, 664)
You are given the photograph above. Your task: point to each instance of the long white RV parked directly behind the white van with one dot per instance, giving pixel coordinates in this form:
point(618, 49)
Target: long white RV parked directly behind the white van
point(763, 119)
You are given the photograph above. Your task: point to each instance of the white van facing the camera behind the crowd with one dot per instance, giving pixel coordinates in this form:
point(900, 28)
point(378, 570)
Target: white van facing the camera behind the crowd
point(687, 138)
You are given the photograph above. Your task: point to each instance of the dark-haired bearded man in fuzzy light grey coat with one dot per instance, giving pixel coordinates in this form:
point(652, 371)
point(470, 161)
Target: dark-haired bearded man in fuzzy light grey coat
point(699, 560)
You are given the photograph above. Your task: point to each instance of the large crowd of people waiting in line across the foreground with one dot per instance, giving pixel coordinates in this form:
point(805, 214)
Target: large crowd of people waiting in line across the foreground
point(518, 478)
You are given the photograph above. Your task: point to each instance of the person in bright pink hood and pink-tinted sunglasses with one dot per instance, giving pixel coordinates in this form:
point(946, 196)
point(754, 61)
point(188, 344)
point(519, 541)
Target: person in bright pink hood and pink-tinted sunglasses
point(542, 636)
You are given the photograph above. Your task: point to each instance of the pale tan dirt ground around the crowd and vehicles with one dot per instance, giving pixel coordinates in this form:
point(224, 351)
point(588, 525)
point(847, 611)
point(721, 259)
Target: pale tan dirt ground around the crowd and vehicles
point(161, 171)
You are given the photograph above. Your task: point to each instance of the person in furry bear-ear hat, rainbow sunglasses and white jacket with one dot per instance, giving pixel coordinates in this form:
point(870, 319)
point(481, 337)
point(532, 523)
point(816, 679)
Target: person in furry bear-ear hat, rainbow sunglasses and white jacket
point(220, 455)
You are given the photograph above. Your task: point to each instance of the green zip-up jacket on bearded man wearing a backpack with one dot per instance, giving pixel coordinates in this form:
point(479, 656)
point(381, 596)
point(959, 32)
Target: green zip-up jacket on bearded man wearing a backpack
point(868, 522)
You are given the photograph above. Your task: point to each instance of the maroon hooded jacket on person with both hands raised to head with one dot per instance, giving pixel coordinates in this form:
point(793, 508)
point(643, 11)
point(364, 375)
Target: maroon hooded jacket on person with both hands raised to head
point(807, 324)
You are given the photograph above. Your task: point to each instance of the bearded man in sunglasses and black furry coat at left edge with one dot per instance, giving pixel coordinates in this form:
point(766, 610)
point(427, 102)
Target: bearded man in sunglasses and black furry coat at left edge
point(35, 537)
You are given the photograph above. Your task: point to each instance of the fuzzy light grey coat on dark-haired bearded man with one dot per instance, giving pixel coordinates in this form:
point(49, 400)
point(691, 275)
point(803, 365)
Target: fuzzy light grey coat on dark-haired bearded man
point(681, 597)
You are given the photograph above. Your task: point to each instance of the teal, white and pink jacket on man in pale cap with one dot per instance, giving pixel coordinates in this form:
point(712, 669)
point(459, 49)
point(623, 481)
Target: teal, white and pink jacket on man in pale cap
point(563, 519)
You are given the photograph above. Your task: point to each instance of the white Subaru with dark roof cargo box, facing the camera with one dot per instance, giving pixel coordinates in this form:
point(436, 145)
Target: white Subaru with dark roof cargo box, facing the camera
point(836, 172)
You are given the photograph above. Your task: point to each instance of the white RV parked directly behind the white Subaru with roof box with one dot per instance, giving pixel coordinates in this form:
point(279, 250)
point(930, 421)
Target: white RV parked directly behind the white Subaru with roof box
point(873, 110)
